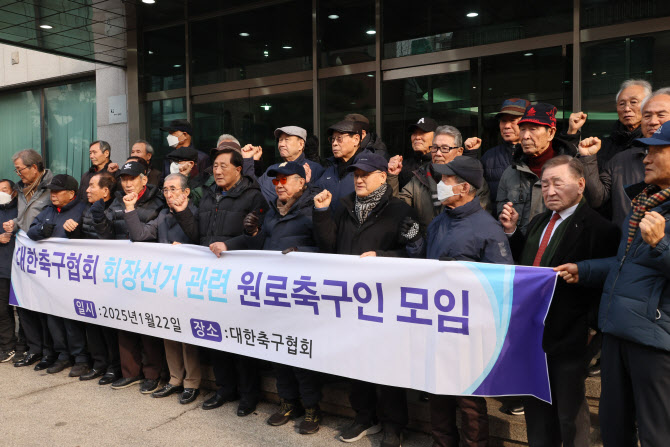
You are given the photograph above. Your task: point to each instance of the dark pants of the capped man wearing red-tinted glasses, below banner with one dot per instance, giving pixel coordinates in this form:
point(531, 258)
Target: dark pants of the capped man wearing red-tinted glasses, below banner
point(295, 383)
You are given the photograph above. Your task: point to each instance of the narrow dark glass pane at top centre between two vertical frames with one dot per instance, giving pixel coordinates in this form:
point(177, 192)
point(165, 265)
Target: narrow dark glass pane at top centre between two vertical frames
point(345, 31)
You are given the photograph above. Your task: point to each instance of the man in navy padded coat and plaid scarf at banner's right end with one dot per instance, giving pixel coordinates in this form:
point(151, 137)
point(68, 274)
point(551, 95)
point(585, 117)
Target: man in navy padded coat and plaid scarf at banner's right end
point(635, 309)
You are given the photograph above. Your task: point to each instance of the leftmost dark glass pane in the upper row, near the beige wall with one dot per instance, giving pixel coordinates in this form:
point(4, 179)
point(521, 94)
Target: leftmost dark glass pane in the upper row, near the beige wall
point(164, 59)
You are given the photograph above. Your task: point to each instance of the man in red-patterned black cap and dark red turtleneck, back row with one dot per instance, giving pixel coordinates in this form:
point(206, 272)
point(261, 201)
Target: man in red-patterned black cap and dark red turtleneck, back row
point(520, 182)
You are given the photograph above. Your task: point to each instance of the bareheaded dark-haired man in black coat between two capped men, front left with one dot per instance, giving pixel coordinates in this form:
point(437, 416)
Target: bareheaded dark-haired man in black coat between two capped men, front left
point(103, 341)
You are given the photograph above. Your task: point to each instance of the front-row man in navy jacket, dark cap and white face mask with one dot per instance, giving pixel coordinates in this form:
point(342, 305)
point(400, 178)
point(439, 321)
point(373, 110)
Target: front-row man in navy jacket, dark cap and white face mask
point(462, 232)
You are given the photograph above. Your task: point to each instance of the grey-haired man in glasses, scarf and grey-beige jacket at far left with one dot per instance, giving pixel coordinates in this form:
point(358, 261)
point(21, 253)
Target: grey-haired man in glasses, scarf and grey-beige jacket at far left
point(33, 197)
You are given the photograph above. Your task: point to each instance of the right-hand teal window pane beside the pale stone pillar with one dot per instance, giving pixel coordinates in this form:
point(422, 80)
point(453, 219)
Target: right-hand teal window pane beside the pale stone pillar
point(71, 123)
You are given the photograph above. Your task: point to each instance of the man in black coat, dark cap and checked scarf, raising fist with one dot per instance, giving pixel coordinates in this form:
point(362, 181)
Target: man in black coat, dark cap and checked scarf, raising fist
point(368, 223)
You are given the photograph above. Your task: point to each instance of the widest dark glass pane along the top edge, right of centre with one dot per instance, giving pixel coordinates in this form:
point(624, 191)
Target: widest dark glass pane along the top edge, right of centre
point(441, 25)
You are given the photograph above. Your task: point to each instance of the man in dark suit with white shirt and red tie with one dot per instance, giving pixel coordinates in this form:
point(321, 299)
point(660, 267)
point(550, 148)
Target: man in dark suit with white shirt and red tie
point(569, 231)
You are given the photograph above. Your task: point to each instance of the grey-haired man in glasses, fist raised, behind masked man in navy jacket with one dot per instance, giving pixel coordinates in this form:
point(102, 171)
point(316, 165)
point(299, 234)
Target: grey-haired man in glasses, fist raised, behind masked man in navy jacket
point(421, 191)
